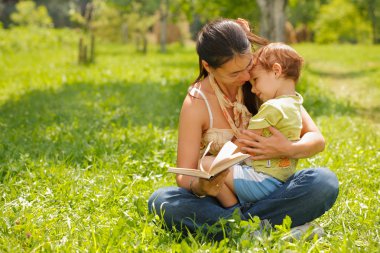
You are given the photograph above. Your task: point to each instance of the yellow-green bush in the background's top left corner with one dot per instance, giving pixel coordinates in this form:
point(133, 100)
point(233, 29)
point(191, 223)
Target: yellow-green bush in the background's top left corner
point(27, 14)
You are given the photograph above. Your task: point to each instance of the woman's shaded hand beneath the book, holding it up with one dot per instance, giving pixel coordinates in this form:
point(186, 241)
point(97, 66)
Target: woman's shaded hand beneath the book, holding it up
point(210, 187)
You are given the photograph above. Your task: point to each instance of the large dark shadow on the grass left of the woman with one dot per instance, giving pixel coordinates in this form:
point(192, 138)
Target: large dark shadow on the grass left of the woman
point(80, 120)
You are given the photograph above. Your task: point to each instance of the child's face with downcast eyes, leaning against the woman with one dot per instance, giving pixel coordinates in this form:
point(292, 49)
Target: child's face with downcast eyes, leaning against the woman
point(264, 83)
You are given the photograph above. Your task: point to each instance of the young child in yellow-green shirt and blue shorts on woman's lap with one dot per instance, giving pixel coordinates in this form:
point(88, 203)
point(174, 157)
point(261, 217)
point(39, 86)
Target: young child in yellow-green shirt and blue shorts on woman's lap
point(275, 73)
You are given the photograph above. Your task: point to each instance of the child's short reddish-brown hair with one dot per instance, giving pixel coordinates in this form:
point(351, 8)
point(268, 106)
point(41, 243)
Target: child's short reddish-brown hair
point(286, 56)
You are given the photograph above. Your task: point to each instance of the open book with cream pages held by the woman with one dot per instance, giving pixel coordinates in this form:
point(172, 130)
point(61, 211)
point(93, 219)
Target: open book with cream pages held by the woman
point(224, 160)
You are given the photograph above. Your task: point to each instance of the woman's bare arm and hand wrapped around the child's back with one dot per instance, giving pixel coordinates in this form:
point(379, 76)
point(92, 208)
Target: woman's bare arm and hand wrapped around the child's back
point(277, 145)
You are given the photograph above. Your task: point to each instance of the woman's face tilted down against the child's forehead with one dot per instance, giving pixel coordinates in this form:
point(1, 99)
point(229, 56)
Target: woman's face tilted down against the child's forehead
point(235, 72)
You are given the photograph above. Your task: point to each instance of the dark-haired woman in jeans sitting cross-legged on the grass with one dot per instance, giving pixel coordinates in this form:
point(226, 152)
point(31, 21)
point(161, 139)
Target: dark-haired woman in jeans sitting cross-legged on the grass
point(213, 110)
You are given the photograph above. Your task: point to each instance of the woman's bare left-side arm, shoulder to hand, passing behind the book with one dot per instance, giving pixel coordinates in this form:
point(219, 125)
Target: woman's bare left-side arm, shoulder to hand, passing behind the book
point(193, 118)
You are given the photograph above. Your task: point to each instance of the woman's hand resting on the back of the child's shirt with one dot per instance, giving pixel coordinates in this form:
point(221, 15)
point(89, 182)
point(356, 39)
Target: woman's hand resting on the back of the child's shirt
point(262, 148)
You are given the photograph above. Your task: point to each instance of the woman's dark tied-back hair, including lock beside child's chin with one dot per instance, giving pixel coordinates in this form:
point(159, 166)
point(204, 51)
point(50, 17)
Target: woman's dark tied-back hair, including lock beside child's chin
point(218, 42)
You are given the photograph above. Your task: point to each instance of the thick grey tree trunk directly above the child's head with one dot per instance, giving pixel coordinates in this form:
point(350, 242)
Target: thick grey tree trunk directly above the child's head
point(273, 19)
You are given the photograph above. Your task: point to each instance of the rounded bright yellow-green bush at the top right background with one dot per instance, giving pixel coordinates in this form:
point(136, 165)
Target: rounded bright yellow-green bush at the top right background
point(340, 21)
